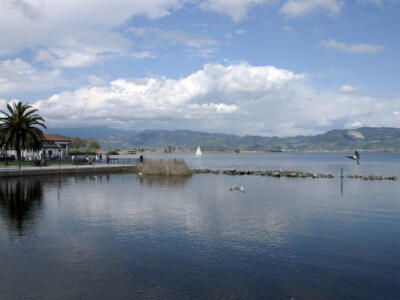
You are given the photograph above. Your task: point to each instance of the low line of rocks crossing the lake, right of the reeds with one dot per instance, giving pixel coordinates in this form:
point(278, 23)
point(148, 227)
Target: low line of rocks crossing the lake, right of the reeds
point(290, 174)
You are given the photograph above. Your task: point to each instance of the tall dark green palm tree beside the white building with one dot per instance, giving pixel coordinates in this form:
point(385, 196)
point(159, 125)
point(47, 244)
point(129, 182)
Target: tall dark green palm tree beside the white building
point(18, 131)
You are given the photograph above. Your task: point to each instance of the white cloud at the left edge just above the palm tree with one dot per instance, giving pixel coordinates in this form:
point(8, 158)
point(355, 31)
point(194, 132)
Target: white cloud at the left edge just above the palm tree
point(18, 76)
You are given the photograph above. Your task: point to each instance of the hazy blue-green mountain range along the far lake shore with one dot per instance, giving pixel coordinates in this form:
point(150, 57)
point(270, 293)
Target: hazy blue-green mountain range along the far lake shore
point(366, 138)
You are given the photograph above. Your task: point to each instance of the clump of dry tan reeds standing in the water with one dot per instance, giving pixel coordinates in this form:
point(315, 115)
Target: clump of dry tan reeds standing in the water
point(170, 167)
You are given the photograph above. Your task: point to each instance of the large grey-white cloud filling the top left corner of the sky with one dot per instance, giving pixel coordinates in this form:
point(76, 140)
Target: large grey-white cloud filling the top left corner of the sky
point(73, 33)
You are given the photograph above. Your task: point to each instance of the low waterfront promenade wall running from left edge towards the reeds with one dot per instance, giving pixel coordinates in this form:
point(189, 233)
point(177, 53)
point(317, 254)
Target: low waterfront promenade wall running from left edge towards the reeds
point(14, 171)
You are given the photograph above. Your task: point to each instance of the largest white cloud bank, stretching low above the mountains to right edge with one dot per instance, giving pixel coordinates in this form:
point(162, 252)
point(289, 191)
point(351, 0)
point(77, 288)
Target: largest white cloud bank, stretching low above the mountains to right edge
point(238, 98)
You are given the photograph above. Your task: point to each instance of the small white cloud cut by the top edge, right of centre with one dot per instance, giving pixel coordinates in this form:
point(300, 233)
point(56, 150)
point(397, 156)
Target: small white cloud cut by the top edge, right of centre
point(301, 8)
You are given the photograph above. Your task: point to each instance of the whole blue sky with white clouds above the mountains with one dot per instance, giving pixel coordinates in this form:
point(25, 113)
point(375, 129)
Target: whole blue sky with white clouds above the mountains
point(246, 67)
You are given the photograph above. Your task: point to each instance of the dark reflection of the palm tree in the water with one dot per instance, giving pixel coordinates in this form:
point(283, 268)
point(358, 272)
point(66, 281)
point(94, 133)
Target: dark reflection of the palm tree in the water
point(20, 199)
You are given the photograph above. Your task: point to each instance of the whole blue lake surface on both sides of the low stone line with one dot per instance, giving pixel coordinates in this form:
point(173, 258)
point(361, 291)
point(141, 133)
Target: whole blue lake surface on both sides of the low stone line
point(120, 236)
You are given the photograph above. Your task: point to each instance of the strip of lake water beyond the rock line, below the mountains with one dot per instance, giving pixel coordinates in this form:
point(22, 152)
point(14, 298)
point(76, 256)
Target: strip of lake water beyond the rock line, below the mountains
point(387, 164)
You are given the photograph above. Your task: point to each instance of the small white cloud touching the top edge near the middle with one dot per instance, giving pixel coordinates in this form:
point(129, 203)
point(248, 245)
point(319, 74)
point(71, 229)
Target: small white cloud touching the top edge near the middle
point(236, 9)
